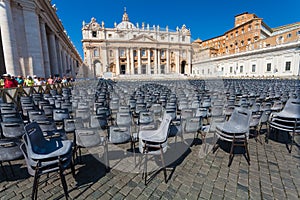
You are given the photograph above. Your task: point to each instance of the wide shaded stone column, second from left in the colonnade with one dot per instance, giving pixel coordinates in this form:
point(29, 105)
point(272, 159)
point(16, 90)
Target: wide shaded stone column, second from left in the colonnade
point(33, 39)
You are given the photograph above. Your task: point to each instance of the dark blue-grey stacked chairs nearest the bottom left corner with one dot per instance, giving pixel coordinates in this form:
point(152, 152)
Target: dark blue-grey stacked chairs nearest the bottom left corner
point(45, 155)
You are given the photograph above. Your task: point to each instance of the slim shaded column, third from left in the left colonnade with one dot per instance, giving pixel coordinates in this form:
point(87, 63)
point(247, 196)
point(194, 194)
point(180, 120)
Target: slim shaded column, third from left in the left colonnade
point(45, 48)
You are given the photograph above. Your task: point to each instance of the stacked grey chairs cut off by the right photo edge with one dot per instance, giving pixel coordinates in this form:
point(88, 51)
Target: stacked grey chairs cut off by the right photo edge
point(287, 120)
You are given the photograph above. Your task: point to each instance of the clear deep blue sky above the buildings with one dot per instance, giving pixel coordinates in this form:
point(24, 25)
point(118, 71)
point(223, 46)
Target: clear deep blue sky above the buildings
point(205, 18)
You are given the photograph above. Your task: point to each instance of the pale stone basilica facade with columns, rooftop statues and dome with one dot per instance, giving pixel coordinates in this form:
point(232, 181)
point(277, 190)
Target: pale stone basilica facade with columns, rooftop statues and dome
point(129, 49)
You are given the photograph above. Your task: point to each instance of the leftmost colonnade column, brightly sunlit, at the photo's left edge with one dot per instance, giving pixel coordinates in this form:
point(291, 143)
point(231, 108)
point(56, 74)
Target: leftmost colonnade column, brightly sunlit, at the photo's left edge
point(9, 42)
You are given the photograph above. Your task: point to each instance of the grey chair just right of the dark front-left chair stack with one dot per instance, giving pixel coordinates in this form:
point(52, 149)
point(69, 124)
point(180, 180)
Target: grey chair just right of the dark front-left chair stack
point(90, 138)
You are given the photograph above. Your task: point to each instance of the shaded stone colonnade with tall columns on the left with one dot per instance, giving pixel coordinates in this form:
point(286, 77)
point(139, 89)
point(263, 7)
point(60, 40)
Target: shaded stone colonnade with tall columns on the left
point(33, 40)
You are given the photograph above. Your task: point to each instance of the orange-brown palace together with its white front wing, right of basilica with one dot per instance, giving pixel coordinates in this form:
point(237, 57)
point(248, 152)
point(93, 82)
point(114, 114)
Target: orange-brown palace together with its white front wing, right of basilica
point(250, 49)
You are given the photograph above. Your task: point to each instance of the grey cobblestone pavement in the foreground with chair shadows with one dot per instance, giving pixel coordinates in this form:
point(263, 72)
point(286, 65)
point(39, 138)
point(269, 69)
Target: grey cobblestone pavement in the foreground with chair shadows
point(273, 174)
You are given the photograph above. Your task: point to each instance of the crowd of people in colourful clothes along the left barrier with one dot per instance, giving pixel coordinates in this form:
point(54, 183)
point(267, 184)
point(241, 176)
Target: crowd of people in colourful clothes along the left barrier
point(8, 81)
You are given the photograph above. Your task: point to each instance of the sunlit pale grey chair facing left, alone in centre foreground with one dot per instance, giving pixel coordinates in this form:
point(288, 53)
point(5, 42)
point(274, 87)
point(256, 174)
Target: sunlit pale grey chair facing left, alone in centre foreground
point(154, 142)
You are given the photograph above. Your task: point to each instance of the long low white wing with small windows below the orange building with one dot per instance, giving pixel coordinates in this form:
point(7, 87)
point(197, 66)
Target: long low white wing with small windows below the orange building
point(281, 61)
